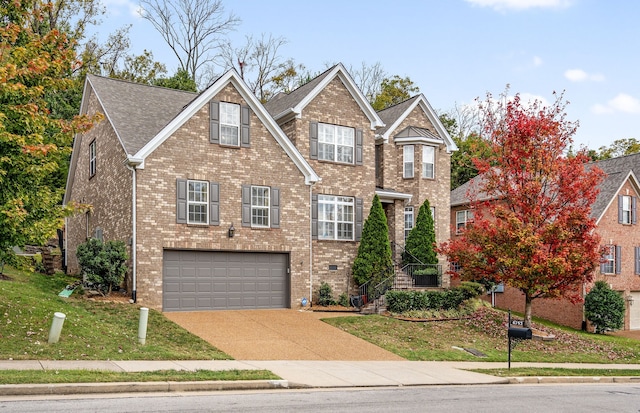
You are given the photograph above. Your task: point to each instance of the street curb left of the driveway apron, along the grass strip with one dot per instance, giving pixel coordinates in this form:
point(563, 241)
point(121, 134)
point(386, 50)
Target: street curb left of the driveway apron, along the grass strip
point(138, 387)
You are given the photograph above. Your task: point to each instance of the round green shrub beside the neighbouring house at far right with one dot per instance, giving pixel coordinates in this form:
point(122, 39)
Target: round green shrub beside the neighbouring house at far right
point(604, 308)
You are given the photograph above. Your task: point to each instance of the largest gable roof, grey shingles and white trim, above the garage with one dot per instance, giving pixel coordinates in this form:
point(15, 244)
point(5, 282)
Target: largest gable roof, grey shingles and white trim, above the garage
point(143, 117)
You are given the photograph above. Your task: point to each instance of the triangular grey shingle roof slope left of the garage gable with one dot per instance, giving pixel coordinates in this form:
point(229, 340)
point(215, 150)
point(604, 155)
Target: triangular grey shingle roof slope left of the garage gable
point(151, 107)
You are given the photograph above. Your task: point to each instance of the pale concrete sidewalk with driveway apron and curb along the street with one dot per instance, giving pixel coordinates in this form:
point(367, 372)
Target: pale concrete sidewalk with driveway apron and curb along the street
point(294, 374)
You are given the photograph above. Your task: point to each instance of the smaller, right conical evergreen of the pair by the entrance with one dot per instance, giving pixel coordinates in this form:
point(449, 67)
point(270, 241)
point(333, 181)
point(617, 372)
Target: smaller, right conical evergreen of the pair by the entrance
point(420, 246)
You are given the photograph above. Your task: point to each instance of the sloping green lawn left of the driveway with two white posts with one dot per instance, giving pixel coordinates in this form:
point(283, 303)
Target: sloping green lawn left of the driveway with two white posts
point(92, 330)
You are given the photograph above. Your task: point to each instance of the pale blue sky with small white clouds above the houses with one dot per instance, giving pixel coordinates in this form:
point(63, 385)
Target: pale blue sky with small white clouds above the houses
point(455, 51)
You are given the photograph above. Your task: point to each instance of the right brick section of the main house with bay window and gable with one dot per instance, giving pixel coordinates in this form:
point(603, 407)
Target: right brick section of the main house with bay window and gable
point(413, 163)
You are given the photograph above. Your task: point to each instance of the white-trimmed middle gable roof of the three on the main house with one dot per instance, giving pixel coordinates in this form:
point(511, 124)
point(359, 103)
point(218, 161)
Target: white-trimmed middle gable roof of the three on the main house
point(285, 106)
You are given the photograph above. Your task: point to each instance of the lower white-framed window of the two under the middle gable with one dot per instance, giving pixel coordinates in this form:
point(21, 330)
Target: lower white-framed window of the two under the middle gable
point(336, 216)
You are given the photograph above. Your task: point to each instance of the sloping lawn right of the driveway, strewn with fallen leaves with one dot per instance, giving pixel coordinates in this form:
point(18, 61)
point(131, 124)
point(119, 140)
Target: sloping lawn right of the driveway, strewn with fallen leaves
point(485, 331)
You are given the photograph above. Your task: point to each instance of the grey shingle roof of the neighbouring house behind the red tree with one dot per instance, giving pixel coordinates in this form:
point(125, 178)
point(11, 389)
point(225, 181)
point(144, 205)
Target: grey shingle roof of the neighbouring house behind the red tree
point(617, 170)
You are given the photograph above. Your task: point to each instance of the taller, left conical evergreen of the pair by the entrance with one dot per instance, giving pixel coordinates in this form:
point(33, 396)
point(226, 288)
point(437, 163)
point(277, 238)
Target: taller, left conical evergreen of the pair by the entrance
point(373, 260)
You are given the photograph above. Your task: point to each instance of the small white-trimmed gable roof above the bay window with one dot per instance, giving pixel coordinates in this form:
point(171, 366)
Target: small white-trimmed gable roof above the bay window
point(396, 114)
